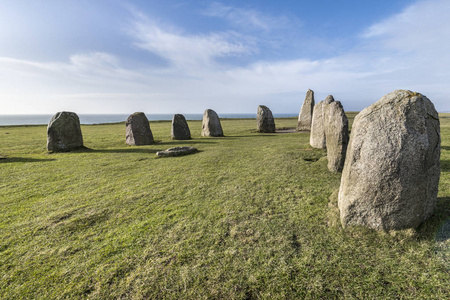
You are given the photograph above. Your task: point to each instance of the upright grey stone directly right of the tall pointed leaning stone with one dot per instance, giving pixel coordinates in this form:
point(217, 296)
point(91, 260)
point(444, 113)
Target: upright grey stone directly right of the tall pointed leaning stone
point(317, 137)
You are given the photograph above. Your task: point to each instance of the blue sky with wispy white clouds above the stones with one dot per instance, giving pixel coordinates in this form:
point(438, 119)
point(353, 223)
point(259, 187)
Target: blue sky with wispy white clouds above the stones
point(118, 56)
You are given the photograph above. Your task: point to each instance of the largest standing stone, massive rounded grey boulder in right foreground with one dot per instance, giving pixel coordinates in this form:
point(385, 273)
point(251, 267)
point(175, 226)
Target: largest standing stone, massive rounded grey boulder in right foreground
point(391, 171)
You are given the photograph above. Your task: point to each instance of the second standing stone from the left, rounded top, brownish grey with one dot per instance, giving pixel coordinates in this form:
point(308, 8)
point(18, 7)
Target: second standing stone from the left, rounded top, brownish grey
point(138, 130)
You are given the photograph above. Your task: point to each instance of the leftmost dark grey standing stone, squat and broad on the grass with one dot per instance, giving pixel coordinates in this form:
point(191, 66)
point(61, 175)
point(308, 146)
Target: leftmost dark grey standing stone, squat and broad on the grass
point(64, 132)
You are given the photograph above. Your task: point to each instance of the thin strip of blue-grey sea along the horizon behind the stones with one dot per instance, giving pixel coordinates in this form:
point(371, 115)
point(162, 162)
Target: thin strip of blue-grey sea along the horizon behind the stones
point(89, 119)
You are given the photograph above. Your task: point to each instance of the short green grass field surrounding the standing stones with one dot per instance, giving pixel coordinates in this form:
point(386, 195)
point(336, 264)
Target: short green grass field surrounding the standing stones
point(251, 216)
